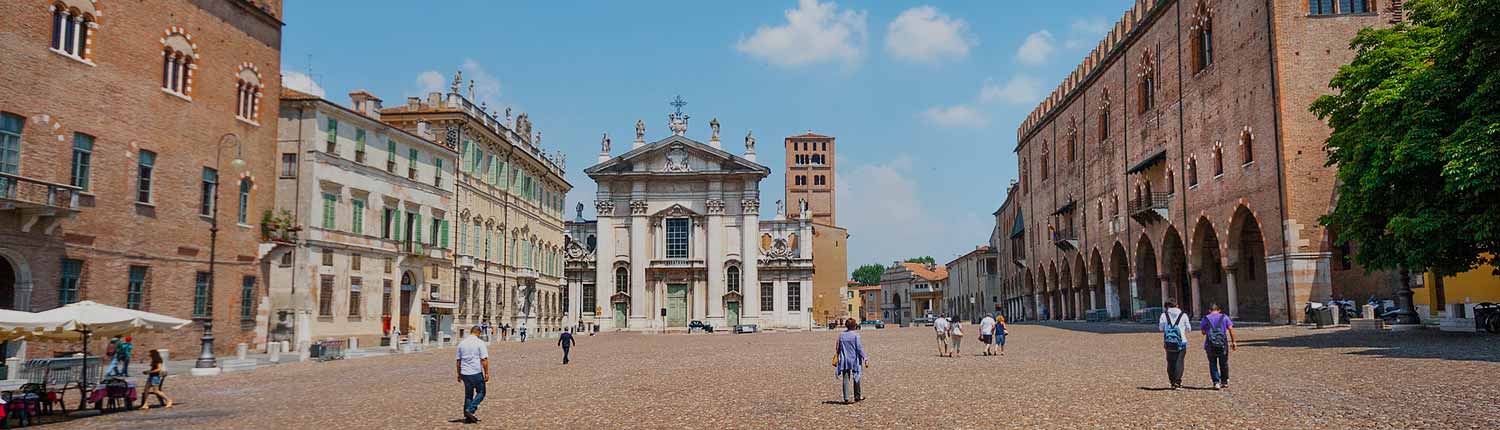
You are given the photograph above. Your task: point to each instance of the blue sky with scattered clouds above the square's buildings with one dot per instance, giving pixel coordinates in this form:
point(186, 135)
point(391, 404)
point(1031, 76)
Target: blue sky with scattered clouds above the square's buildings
point(925, 98)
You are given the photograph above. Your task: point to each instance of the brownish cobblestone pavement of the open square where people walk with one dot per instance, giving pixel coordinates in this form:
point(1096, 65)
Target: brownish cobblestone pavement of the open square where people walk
point(1054, 377)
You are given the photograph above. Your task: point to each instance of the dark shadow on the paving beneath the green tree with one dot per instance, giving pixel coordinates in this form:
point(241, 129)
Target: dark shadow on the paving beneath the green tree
point(1426, 344)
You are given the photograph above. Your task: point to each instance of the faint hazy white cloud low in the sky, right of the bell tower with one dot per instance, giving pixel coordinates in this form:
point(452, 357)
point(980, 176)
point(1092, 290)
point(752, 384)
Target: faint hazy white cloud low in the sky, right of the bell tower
point(890, 216)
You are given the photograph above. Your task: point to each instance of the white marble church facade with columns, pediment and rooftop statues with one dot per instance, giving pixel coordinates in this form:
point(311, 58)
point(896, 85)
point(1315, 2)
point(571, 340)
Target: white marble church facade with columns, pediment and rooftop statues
point(680, 239)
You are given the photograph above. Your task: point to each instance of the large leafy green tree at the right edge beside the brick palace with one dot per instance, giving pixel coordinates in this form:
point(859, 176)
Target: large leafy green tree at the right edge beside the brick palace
point(1417, 140)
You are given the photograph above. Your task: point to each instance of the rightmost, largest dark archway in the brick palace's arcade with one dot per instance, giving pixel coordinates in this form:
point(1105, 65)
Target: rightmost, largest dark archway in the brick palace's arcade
point(1246, 261)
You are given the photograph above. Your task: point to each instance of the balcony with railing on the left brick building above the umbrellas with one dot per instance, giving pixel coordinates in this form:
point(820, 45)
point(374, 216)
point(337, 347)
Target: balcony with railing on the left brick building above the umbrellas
point(38, 205)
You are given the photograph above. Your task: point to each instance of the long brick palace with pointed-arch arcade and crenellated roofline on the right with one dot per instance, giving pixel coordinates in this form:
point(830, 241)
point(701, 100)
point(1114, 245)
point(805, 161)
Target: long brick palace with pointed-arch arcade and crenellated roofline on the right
point(1180, 163)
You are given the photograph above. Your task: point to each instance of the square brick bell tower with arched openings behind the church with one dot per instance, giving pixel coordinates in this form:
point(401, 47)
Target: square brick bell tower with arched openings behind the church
point(811, 176)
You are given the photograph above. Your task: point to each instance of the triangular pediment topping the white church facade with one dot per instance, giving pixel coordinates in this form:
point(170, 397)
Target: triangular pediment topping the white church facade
point(677, 155)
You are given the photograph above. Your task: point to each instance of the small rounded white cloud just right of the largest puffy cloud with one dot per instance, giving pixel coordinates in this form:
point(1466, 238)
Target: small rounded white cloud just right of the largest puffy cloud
point(923, 35)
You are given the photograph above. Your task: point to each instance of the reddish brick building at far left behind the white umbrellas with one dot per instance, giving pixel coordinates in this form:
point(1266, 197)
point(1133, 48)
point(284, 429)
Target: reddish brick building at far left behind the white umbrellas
point(113, 118)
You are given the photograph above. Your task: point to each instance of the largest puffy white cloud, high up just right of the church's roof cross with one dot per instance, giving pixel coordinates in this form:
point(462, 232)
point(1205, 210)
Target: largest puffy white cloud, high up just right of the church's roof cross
point(814, 34)
